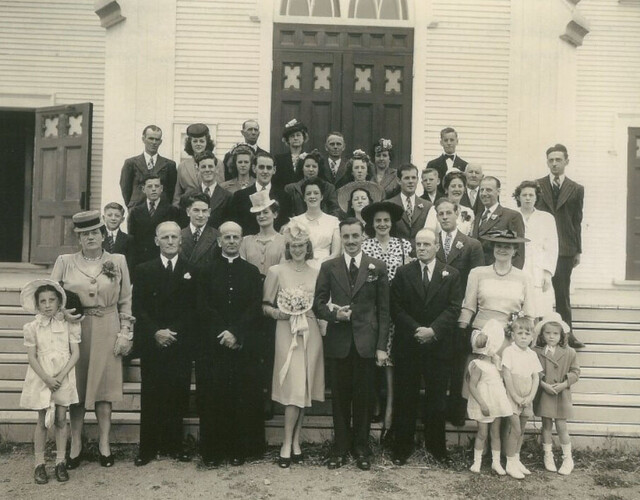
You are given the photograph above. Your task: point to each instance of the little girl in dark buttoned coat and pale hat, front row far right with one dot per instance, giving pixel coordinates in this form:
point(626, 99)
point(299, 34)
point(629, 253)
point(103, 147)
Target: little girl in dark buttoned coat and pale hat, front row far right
point(553, 401)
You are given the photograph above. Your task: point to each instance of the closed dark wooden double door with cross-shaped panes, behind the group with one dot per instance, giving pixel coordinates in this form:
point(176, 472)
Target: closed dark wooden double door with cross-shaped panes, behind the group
point(356, 80)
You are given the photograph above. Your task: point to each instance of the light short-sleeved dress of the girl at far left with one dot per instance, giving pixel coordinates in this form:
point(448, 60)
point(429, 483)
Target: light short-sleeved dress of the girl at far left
point(51, 338)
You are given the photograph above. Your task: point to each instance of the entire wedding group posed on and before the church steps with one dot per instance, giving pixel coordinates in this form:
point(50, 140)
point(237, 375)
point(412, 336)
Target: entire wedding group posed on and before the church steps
point(263, 269)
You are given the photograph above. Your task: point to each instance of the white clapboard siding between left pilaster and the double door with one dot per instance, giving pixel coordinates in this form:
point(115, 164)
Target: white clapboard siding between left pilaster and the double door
point(217, 67)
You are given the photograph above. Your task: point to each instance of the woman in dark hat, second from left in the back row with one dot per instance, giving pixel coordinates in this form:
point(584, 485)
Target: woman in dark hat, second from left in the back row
point(198, 141)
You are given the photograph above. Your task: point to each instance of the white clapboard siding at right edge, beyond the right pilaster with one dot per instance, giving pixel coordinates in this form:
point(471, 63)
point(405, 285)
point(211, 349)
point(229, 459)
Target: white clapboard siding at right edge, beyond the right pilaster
point(608, 83)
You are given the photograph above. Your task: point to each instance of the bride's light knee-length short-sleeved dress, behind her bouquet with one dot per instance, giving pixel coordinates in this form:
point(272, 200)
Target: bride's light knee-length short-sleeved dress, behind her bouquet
point(298, 368)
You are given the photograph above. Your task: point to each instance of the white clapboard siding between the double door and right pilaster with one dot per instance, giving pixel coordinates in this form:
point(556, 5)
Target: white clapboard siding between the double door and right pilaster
point(467, 79)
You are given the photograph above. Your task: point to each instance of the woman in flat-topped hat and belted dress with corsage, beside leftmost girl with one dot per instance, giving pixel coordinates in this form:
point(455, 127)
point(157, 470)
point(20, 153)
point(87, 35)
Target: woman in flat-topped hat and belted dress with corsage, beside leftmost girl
point(101, 281)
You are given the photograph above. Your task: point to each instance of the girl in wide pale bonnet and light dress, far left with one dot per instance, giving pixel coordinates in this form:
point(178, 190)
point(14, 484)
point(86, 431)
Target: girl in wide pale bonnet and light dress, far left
point(50, 384)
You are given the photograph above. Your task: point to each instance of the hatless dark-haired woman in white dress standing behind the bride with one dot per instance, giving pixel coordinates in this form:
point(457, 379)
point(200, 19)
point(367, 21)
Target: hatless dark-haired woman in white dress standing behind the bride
point(323, 228)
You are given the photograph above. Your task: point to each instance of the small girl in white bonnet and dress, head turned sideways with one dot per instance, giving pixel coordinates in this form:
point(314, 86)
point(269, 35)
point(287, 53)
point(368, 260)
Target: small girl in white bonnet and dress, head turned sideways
point(487, 402)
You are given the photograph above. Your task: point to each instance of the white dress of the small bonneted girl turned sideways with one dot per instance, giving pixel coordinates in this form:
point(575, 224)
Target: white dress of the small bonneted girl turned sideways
point(492, 390)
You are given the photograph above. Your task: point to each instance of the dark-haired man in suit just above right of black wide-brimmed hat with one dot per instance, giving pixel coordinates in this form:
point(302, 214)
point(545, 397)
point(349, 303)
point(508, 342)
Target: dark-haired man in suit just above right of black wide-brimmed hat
point(415, 208)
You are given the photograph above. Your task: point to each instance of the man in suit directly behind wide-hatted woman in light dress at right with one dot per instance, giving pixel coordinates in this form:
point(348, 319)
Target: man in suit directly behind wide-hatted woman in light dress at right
point(495, 217)
